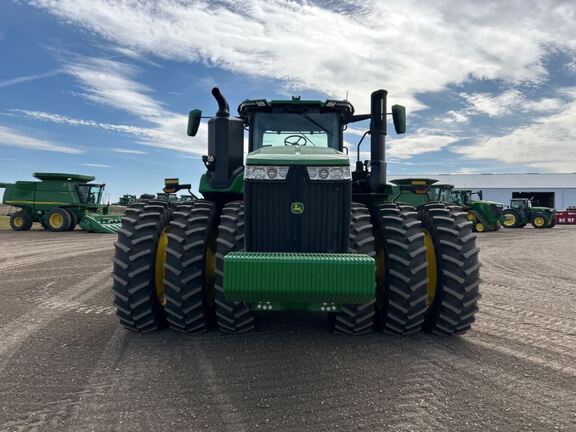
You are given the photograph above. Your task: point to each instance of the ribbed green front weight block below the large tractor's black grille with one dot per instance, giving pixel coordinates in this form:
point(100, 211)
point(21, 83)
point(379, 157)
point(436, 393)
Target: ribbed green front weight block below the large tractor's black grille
point(311, 281)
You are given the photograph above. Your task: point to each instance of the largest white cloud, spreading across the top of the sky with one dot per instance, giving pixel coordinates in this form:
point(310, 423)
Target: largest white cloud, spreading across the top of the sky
point(408, 47)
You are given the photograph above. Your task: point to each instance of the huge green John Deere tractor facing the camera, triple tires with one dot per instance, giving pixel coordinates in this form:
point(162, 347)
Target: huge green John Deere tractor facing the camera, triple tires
point(295, 229)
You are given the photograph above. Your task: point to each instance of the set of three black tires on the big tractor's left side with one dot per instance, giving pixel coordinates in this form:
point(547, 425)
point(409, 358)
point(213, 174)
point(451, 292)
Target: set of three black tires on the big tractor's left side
point(168, 267)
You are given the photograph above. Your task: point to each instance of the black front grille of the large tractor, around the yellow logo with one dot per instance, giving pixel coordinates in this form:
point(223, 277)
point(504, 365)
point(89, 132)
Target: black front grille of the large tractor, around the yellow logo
point(271, 226)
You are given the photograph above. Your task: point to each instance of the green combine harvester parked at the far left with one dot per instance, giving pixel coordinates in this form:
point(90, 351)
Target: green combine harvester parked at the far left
point(59, 202)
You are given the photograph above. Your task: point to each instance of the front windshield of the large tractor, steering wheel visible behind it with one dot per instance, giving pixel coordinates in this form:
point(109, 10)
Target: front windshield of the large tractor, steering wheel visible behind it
point(295, 129)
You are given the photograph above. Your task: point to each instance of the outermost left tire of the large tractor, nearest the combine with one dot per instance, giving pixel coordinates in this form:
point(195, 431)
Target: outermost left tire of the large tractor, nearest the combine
point(138, 286)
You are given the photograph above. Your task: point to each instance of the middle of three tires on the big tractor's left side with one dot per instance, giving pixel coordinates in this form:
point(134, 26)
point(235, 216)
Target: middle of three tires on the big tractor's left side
point(190, 266)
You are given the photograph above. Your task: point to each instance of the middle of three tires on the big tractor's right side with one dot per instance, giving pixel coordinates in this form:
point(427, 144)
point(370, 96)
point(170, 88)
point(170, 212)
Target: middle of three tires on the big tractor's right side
point(402, 279)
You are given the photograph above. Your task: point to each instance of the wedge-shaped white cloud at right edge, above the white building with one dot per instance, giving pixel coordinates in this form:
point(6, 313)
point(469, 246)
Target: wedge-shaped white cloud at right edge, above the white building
point(547, 143)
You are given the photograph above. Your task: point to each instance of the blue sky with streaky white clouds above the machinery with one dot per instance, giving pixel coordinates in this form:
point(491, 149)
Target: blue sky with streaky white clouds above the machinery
point(103, 87)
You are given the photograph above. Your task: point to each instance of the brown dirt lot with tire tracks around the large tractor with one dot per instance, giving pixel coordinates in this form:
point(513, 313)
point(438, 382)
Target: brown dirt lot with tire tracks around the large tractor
point(65, 364)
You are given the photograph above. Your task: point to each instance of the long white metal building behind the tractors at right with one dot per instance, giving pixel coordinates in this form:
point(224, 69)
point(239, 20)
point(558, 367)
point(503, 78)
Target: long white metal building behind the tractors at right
point(546, 189)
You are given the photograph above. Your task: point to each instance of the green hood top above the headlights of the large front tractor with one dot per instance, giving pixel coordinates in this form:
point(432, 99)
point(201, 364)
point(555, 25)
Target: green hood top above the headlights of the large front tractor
point(297, 155)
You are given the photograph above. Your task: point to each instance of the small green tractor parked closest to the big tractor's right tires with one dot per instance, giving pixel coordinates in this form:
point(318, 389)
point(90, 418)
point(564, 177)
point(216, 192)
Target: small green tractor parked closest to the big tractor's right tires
point(485, 215)
